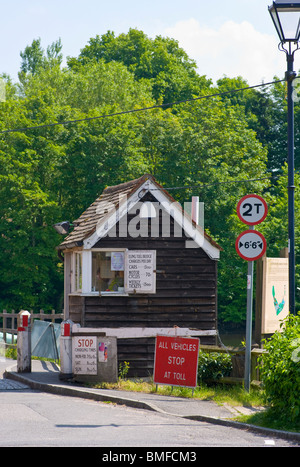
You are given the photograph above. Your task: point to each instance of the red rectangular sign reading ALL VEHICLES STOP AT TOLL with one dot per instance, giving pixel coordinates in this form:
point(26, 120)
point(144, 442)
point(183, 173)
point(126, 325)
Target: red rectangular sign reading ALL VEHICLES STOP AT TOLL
point(176, 361)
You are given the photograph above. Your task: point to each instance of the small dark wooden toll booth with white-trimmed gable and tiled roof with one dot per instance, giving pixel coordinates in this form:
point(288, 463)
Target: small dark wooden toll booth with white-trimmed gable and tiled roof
point(136, 265)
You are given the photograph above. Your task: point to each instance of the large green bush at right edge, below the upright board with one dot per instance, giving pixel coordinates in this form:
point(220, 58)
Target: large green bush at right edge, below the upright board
point(280, 369)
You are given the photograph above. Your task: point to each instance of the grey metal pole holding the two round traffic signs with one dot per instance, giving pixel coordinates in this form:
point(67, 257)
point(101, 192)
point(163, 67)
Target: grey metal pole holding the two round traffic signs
point(249, 324)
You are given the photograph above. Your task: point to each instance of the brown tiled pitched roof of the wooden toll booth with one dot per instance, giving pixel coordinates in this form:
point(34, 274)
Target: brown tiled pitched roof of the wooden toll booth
point(87, 223)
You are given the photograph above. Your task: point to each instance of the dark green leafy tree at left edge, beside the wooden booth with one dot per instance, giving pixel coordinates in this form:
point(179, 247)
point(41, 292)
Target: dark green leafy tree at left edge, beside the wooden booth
point(29, 268)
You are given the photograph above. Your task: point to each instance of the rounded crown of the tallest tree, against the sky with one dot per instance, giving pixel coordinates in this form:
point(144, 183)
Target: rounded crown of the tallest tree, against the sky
point(161, 61)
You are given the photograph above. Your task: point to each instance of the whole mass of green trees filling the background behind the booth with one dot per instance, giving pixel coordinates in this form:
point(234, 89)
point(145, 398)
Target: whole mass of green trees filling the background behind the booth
point(219, 148)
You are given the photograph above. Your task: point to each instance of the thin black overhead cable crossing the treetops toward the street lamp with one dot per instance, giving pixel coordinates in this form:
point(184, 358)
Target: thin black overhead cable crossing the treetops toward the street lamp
point(143, 109)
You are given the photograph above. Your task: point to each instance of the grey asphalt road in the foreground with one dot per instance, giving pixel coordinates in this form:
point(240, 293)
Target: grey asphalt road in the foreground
point(33, 418)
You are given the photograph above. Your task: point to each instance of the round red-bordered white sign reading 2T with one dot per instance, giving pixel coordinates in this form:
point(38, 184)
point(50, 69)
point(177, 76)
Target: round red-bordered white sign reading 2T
point(252, 209)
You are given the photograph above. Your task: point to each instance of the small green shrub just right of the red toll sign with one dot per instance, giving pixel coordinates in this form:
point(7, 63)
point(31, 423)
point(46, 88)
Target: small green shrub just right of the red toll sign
point(213, 366)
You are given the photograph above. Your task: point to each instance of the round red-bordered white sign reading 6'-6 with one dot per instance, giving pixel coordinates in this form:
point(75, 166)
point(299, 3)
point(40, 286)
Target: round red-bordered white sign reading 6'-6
point(251, 245)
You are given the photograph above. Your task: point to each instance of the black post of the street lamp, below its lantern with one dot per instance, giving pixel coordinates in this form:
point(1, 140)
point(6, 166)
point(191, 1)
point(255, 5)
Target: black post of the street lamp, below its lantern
point(290, 76)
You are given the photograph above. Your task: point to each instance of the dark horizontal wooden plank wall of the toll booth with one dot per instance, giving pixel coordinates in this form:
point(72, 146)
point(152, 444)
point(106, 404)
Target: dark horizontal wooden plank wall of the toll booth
point(186, 296)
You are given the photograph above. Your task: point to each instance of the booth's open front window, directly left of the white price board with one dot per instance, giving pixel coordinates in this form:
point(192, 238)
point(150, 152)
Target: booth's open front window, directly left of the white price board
point(108, 271)
